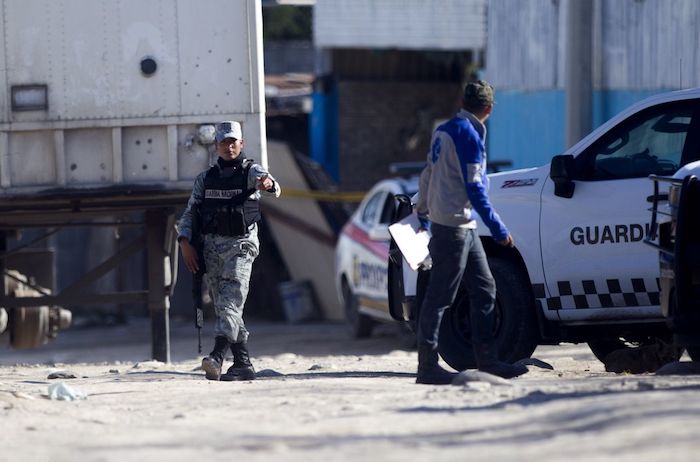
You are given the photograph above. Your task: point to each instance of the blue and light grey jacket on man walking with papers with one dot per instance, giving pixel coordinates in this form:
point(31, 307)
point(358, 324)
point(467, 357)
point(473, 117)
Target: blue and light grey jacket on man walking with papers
point(454, 180)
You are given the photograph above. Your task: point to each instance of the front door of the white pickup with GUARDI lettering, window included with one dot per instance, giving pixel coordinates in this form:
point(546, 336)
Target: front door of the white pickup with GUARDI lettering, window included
point(594, 259)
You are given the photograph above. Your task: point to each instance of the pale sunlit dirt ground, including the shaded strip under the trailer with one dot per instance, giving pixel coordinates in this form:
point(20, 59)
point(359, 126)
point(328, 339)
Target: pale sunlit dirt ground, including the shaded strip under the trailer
point(323, 396)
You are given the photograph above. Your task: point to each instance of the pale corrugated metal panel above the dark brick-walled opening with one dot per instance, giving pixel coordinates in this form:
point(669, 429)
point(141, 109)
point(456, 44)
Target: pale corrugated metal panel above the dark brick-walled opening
point(406, 24)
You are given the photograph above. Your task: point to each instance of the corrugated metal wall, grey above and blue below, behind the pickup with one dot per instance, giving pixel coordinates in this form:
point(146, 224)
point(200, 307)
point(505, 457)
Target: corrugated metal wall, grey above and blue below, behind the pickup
point(639, 47)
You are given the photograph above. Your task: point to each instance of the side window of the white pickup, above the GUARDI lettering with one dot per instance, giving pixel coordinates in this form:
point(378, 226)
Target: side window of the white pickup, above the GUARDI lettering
point(648, 143)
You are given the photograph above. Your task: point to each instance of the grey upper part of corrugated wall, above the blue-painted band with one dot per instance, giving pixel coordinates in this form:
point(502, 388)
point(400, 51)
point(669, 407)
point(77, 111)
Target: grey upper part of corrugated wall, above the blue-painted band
point(637, 45)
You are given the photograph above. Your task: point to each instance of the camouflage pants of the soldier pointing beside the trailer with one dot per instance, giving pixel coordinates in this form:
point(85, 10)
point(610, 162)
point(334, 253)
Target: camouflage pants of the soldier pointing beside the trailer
point(229, 264)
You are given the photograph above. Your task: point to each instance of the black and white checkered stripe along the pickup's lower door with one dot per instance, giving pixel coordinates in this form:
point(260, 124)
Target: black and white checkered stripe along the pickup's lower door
point(599, 294)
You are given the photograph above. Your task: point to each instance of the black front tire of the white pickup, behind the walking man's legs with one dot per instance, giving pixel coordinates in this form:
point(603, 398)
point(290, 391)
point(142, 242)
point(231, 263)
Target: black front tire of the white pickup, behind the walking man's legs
point(516, 329)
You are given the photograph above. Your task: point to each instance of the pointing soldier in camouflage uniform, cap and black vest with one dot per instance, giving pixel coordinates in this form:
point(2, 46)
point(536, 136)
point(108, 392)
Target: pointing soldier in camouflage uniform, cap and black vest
point(224, 210)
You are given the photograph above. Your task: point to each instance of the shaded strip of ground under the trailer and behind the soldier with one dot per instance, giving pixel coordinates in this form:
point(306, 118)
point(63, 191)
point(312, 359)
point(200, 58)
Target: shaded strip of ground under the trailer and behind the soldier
point(131, 342)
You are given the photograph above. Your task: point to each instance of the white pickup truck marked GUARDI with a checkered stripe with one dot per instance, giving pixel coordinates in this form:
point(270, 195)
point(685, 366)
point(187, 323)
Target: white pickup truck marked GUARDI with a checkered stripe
point(580, 271)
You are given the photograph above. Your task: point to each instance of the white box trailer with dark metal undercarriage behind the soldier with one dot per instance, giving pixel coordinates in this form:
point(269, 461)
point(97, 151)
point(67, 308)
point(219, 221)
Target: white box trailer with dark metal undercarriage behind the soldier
point(108, 109)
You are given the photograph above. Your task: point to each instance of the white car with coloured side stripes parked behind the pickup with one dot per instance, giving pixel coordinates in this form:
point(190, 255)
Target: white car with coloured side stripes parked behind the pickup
point(362, 253)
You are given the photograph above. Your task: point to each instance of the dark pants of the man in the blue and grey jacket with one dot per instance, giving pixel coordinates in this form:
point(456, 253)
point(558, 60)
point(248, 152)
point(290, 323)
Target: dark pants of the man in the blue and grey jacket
point(457, 254)
